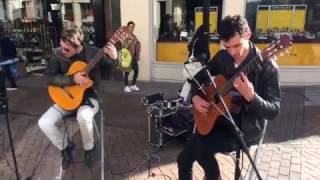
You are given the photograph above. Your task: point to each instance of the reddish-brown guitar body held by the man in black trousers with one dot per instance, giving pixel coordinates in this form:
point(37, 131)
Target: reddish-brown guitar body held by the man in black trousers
point(205, 121)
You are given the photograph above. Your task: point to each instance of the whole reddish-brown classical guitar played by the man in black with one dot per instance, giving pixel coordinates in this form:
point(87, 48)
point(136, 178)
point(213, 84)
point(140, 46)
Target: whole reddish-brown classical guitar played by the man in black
point(206, 121)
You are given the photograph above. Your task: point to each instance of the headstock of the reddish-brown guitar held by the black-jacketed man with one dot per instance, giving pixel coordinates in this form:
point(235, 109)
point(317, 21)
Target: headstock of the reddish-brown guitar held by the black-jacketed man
point(276, 47)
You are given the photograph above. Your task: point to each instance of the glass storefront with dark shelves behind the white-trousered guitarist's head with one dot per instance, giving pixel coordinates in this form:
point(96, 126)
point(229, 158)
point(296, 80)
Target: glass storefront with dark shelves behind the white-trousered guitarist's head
point(35, 26)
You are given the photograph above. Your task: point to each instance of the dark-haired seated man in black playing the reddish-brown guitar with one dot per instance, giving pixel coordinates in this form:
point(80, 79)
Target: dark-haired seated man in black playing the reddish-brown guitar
point(259, 90)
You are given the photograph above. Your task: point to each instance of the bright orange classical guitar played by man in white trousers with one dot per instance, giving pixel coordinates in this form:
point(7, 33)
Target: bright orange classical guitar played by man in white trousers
point(70, 97)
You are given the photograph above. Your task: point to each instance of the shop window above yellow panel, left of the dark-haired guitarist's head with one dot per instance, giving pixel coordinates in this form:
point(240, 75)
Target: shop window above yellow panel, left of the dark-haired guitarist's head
point(176, 20)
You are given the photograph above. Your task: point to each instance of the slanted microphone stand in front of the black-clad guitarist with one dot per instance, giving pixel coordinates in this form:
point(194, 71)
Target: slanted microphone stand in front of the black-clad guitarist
point(237, 131)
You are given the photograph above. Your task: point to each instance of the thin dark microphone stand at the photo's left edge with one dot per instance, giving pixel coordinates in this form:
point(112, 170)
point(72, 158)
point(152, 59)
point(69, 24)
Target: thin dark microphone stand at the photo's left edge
point(4, 110)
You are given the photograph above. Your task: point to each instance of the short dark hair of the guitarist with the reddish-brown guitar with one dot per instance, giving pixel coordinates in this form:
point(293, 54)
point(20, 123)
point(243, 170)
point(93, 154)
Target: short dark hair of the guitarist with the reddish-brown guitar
point(230, 25)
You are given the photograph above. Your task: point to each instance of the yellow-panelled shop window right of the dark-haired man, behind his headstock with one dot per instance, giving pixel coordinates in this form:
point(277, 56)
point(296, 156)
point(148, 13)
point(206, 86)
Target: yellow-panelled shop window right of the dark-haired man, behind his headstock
point(300, 19)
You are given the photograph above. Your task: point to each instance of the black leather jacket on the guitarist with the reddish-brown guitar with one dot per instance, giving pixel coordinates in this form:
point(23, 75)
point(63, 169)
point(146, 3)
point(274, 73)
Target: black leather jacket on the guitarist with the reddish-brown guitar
point(266, 103)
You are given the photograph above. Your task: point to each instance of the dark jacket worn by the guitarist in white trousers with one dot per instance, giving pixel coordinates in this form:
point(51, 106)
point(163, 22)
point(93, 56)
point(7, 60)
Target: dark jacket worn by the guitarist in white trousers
point(59, 65)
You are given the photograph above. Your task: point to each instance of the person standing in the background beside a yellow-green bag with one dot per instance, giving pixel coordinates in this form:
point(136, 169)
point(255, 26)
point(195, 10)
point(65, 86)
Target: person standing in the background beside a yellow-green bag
point(134, 48)
